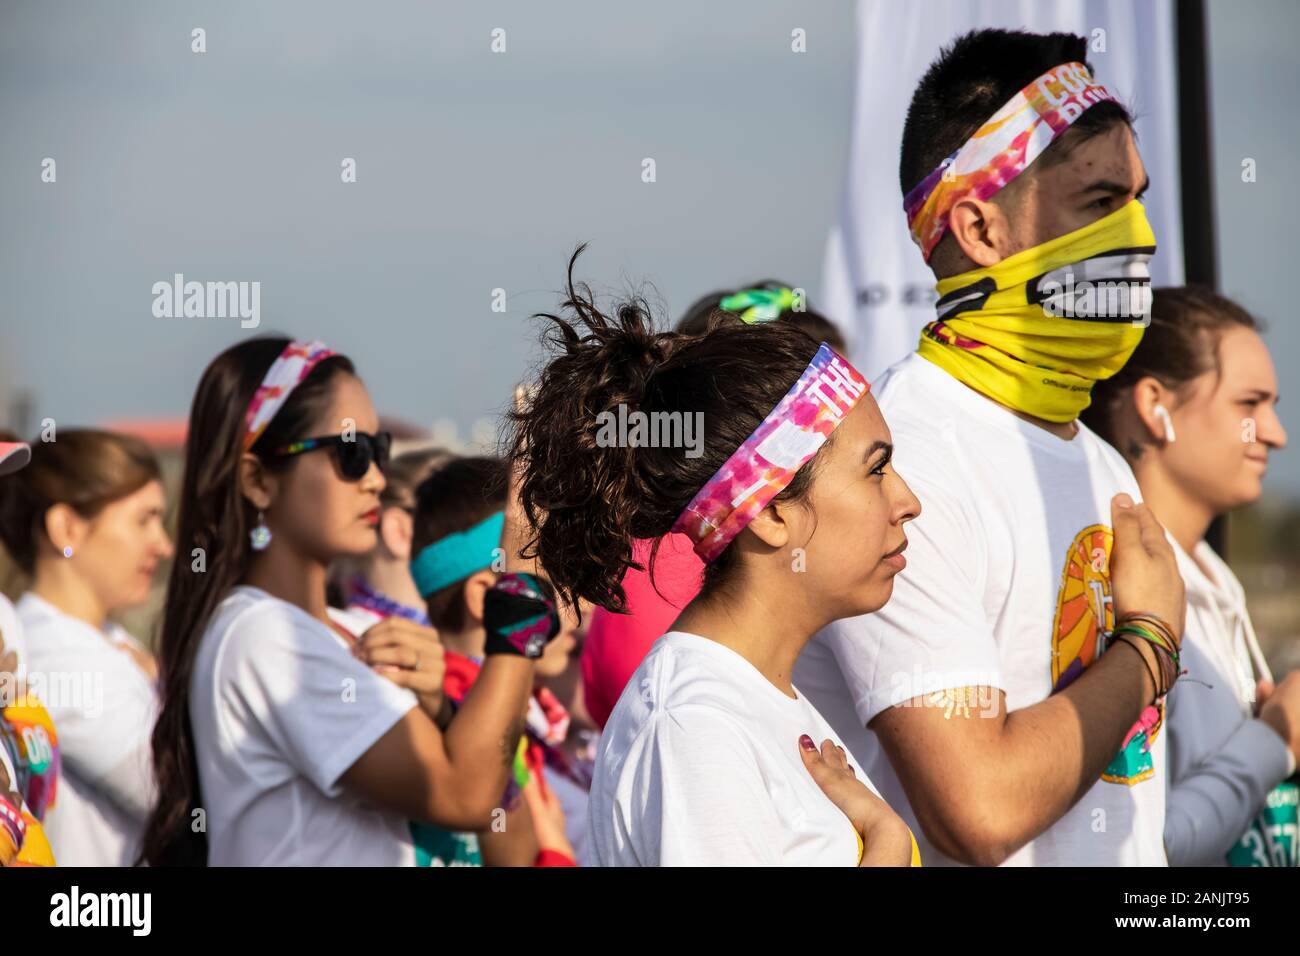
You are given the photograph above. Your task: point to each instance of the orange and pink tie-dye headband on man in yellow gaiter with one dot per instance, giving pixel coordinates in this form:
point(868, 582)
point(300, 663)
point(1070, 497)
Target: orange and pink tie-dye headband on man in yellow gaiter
point(1002, 149)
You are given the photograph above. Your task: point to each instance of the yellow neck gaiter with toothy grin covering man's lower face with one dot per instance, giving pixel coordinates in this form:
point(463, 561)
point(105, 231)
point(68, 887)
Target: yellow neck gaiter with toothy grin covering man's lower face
point(1038, 330)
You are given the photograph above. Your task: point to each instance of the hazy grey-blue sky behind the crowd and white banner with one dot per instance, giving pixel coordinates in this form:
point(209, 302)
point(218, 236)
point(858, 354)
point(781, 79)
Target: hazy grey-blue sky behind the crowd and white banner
point(476, 171)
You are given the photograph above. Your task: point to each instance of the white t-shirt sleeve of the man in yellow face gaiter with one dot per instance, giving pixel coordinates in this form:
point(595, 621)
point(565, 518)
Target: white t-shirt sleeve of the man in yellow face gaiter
point(934, 633)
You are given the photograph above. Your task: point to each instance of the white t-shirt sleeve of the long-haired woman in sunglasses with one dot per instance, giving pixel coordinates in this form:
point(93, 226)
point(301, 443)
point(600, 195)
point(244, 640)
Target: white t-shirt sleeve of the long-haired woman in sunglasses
point(319, 706)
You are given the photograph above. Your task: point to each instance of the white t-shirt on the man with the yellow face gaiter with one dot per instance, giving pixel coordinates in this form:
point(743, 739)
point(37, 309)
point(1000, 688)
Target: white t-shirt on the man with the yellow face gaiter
point(1008, 572)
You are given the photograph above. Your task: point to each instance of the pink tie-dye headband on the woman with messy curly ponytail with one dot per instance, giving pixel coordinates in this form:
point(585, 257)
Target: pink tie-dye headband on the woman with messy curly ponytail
point(769, 460)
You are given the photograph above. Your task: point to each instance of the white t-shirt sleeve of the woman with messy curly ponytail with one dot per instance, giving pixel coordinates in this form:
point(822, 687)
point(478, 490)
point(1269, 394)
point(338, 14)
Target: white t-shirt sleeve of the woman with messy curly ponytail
point(699, 799)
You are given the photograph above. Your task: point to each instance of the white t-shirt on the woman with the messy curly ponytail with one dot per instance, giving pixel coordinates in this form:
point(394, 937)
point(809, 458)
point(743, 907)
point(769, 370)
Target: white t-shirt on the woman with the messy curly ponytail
point(700, 765)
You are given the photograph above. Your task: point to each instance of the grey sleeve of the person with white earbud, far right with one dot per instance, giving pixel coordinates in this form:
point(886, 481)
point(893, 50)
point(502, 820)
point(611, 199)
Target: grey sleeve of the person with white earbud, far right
point(1214, 804)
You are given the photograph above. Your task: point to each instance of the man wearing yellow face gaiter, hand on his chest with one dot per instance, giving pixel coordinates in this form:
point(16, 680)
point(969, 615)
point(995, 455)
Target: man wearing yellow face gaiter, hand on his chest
point(990, 699)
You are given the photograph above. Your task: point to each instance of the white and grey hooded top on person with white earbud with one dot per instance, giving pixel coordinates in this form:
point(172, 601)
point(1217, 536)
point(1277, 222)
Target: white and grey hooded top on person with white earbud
point(1223, 763)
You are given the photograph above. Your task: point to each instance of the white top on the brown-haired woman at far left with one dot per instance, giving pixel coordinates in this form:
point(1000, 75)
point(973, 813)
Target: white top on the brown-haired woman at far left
point(103, 708)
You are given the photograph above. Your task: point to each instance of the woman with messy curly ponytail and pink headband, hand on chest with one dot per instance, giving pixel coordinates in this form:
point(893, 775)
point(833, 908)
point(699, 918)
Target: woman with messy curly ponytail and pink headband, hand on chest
point(712, 756)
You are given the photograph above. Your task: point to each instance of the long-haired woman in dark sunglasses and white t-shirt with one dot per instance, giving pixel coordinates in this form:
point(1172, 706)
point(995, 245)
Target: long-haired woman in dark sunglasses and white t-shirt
point(284, 741)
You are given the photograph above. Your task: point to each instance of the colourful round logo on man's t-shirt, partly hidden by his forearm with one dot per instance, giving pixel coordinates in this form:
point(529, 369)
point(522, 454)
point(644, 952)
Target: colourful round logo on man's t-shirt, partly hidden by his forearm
point(1085, 616)
